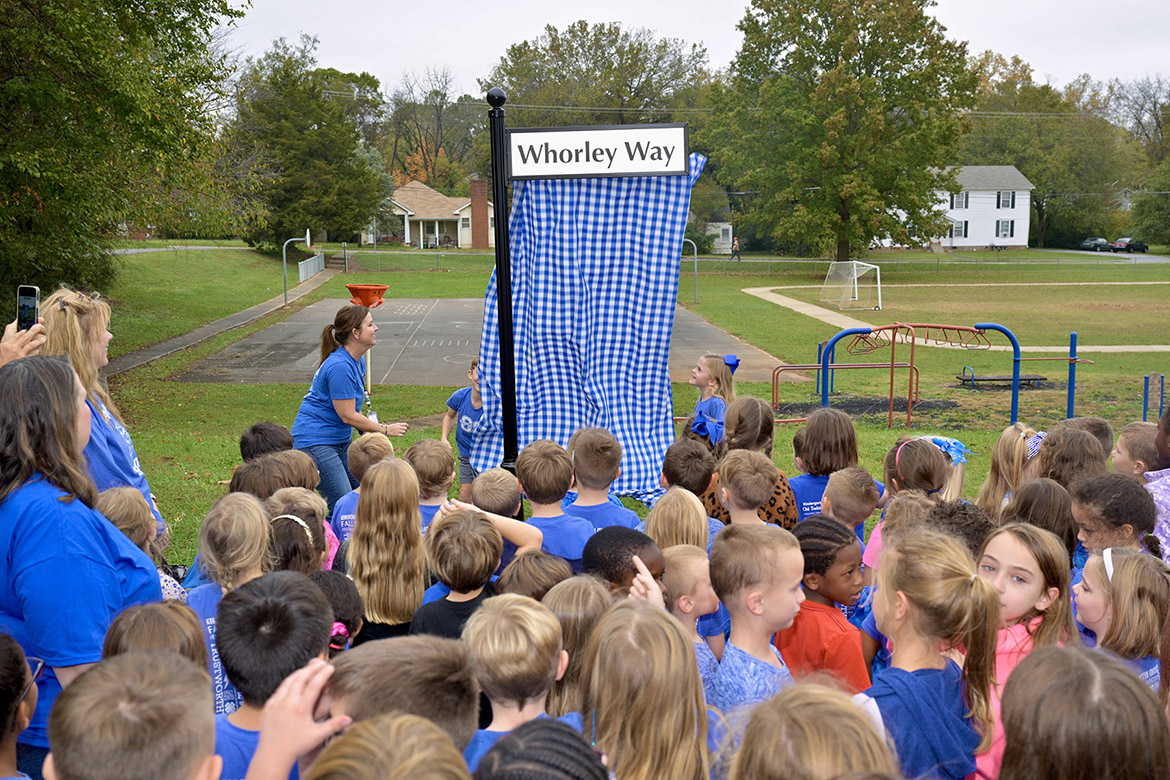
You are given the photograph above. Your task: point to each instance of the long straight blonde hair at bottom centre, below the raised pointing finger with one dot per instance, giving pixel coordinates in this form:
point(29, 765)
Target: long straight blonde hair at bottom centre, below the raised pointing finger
point(643, 701)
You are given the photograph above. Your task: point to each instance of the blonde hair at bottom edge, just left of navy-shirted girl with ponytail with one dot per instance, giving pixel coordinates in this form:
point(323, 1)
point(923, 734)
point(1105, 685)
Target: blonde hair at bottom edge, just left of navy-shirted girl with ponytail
point(810, 733)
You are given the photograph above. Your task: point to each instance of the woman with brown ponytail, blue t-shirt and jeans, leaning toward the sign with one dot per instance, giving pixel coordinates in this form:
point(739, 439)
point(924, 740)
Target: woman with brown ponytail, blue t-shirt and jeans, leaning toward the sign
point(332, 409)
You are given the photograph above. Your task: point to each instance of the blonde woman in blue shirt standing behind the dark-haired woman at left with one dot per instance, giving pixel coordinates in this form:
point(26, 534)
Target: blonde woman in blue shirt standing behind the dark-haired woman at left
point(78, 327)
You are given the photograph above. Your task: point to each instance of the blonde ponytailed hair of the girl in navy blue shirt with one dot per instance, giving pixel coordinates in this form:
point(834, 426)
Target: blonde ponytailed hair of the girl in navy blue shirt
point(954, 608)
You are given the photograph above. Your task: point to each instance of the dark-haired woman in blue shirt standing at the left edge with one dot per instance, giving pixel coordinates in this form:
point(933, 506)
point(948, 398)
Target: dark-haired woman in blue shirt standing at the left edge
point(65, 570)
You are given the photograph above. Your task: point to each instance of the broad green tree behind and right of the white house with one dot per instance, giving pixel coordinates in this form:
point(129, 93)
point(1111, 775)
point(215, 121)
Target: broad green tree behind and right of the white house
point(1062, 141)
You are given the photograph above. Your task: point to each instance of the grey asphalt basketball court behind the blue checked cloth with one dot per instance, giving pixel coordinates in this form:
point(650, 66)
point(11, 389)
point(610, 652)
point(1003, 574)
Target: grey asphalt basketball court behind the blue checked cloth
point(432, 342)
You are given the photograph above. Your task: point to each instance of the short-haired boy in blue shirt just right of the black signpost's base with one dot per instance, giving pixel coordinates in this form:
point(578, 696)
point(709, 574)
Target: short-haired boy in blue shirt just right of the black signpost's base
point(546, 474)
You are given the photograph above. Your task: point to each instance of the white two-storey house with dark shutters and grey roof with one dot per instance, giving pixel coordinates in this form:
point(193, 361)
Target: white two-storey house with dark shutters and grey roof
point(993, 209)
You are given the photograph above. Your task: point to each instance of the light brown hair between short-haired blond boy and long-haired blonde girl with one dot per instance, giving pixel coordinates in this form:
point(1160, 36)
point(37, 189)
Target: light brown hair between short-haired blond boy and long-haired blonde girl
point(579, 604)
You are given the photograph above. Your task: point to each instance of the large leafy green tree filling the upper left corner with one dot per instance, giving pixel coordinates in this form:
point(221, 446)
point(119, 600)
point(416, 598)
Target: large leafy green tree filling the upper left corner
point(100, 103)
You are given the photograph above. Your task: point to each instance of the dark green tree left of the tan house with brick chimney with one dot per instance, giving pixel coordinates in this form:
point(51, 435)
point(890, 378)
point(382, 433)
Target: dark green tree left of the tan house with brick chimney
point(324, 178)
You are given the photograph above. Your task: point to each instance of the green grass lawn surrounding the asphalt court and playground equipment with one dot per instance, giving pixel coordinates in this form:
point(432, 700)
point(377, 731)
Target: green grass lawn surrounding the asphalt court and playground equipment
point(188, 434)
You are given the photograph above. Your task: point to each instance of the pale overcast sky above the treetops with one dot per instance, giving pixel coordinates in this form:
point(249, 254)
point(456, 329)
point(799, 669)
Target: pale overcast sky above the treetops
point(1061, 39)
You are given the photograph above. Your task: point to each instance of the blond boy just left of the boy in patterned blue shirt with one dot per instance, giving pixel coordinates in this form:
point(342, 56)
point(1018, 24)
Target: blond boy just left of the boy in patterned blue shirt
point(690, 596)
